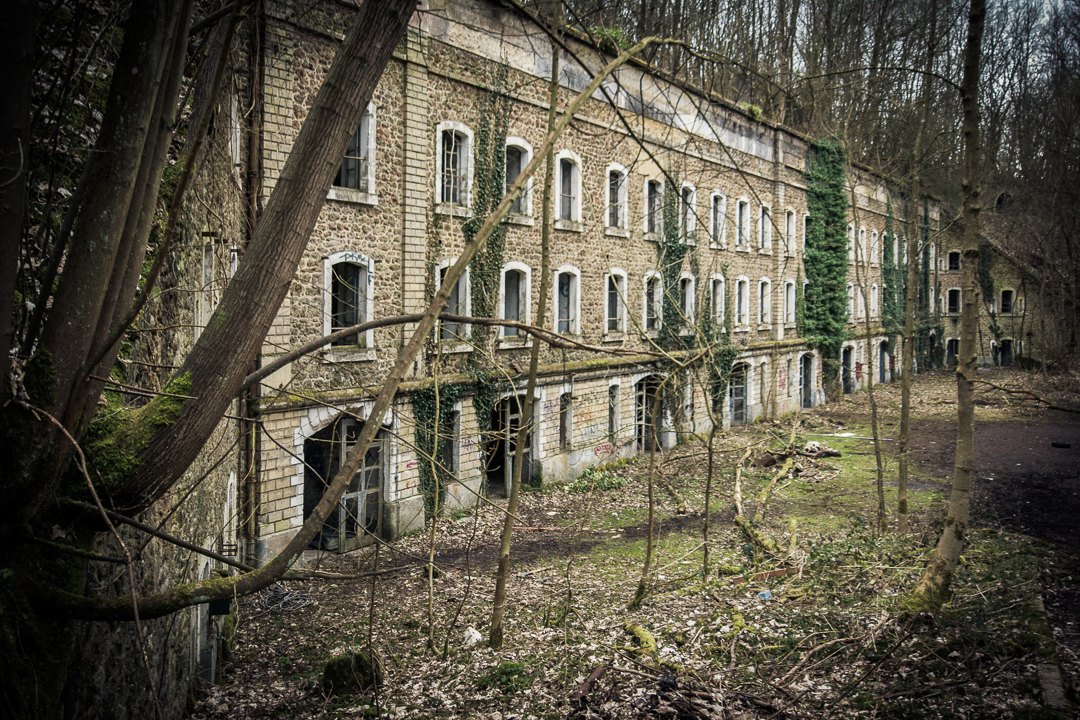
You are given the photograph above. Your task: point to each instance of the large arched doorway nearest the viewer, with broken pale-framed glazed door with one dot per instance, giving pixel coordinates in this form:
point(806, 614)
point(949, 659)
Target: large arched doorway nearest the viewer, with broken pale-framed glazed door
point(359, 515)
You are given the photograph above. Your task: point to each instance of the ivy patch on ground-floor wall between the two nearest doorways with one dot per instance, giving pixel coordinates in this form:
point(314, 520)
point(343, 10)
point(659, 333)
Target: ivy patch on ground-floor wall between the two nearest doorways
point(434, 412)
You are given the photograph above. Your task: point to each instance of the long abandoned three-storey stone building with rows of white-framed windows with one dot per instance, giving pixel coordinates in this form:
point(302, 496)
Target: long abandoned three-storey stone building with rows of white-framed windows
point(646, 164)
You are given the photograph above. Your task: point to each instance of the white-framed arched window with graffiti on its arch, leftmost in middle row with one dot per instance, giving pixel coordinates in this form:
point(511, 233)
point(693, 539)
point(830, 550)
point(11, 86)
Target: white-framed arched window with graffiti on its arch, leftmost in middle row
point(348, 283)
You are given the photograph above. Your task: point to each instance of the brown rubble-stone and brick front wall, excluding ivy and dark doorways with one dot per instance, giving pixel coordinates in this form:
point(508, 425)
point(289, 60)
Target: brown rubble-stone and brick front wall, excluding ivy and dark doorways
point(399, 226)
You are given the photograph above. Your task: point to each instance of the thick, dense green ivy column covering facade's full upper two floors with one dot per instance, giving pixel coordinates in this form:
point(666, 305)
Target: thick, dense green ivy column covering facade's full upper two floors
point(825, 313)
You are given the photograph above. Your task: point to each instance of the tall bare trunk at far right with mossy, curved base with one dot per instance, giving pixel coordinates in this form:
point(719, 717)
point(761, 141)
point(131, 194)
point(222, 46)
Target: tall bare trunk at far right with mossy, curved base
point(934, 589)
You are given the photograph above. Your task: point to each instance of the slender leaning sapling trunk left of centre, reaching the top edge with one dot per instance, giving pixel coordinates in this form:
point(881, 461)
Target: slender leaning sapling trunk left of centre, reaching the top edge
point(503, 574)
